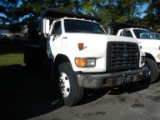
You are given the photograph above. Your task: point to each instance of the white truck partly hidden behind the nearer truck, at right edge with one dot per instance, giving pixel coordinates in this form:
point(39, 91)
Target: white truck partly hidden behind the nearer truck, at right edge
point(149, 45)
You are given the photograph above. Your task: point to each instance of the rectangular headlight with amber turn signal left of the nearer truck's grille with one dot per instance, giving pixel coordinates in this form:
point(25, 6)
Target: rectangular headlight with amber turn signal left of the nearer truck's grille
point(85, 62)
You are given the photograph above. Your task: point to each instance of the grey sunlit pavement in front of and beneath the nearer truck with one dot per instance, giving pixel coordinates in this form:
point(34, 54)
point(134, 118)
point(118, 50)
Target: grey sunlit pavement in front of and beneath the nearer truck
point(141, 104)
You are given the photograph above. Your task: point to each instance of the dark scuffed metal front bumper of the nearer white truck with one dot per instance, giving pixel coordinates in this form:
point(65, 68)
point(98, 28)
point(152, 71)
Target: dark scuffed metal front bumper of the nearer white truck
point(112, 79)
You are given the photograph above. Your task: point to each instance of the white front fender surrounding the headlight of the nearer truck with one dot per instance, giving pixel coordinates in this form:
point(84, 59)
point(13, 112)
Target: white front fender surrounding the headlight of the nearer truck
point(72, 54)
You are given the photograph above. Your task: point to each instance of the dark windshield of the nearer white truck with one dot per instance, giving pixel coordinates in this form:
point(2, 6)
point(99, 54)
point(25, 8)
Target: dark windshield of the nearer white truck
point(80, 26)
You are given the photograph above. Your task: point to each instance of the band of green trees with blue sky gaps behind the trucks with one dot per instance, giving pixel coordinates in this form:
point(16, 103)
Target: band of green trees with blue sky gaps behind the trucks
point(108, 10)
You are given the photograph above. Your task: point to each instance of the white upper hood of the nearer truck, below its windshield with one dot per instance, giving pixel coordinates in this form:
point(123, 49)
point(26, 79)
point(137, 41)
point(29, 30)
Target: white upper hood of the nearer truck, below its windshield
point(92, 41)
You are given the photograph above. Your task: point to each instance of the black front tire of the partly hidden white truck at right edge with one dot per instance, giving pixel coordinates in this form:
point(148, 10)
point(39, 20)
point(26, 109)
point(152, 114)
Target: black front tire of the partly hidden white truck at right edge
point(154, 70)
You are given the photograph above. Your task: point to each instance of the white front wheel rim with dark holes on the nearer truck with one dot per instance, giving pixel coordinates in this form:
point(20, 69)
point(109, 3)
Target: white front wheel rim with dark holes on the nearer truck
point(64, 84)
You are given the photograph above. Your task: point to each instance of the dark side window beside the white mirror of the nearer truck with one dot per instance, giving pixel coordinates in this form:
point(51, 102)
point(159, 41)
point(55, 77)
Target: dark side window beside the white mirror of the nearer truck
point(57, 28)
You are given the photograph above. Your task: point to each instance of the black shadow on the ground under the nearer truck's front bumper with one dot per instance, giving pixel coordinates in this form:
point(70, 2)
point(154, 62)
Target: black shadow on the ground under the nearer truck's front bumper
point(94, 94)
